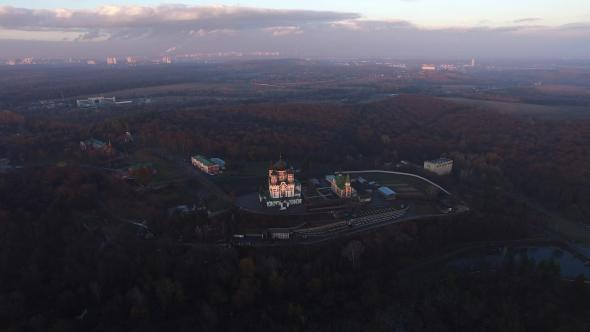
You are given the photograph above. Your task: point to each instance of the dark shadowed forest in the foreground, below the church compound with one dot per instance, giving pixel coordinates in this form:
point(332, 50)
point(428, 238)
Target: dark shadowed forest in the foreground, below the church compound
point(59, 275)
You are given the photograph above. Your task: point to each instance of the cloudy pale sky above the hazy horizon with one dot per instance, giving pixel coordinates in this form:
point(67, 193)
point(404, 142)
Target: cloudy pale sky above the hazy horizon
point(298, 28)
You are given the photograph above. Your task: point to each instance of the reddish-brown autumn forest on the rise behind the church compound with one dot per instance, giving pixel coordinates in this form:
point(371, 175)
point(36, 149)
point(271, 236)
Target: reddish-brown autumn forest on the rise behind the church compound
point(543, 159)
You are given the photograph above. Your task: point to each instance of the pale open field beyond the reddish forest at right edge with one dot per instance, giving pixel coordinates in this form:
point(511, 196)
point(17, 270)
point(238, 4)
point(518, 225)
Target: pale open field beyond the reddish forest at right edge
point(524, 109)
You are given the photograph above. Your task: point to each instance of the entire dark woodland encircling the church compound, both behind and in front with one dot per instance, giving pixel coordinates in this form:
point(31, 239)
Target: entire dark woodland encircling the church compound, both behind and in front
point(70, 262)
